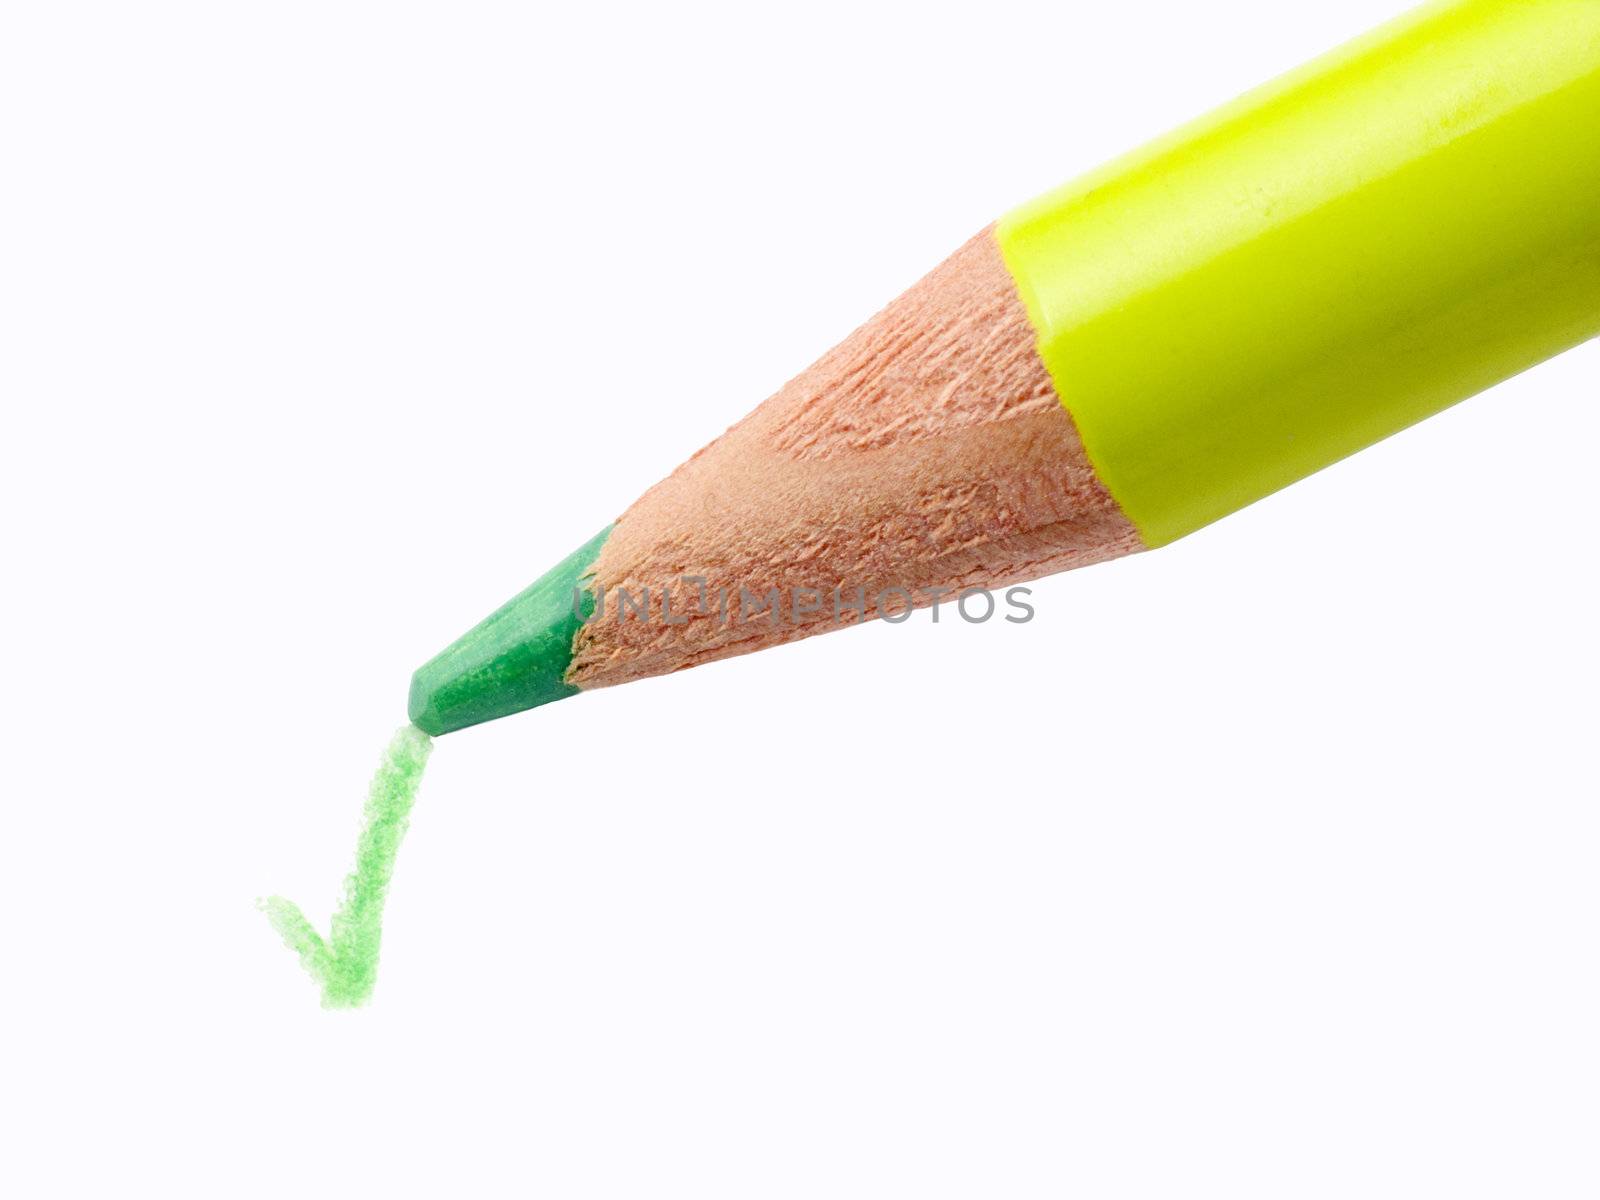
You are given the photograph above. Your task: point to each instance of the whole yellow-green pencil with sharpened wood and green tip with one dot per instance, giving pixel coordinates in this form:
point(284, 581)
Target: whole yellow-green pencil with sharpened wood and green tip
point(1316, 266)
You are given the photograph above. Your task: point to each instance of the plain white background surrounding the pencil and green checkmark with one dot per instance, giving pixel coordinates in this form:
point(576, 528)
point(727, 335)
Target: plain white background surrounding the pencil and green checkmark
point(1263, 866)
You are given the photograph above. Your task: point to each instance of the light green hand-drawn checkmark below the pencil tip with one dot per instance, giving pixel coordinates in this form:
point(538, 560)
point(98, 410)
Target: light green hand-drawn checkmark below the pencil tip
point(345, 966)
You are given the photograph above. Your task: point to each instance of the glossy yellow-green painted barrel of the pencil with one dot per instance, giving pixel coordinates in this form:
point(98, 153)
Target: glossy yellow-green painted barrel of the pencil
point(1326, 262)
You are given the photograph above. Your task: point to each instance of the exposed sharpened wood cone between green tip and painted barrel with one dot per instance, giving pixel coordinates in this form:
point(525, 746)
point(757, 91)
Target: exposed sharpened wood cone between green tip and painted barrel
point(929, 450)
